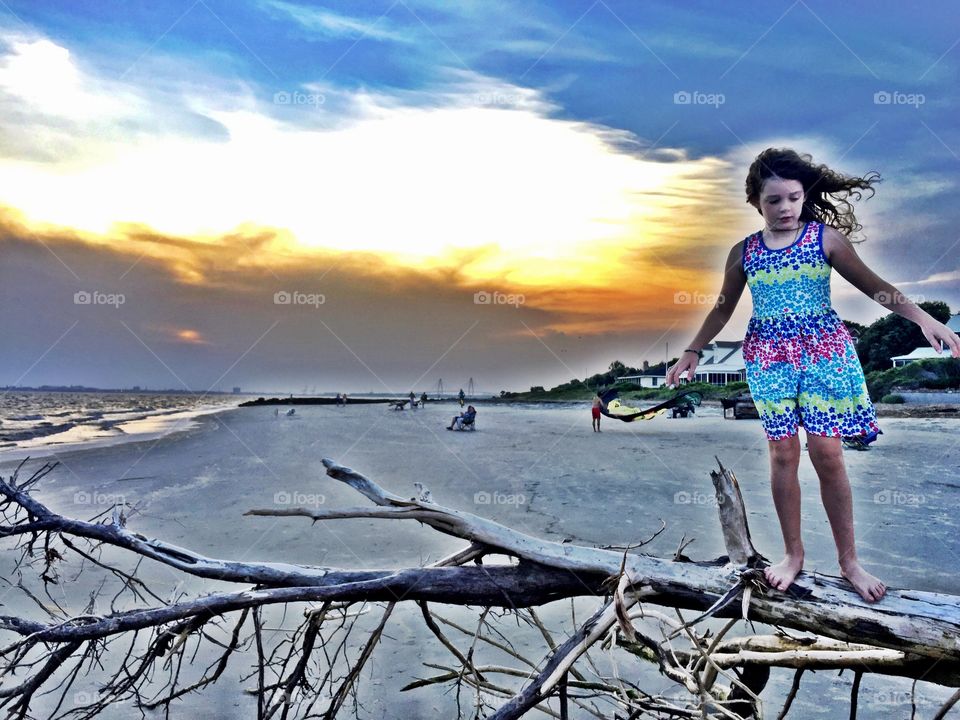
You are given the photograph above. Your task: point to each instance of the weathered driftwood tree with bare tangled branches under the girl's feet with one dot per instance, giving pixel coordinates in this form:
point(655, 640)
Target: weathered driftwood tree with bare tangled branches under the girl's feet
point(909, 633)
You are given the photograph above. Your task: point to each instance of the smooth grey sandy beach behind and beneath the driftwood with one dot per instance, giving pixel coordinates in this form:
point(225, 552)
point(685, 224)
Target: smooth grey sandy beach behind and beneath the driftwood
point(539, 469)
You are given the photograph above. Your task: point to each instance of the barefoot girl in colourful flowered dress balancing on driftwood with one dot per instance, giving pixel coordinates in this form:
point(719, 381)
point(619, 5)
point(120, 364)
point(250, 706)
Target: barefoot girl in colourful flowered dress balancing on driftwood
point(802, 366)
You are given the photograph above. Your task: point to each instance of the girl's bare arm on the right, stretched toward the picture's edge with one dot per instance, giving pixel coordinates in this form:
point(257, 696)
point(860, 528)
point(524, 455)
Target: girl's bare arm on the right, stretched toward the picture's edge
point(842, 255)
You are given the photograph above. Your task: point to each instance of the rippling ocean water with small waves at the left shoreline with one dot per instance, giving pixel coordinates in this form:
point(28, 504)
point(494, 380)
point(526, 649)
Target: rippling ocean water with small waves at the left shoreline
point(37, 423)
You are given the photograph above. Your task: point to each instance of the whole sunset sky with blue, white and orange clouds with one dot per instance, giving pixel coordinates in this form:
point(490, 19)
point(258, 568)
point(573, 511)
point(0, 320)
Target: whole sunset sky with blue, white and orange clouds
point(277, 195)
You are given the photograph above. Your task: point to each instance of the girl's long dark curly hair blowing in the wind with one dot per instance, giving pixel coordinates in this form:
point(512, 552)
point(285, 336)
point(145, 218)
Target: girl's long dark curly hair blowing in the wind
point(827, 192)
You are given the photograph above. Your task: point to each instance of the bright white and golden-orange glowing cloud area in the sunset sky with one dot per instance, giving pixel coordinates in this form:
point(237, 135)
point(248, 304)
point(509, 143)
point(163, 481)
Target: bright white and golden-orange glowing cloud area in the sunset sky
point(494, 197)
